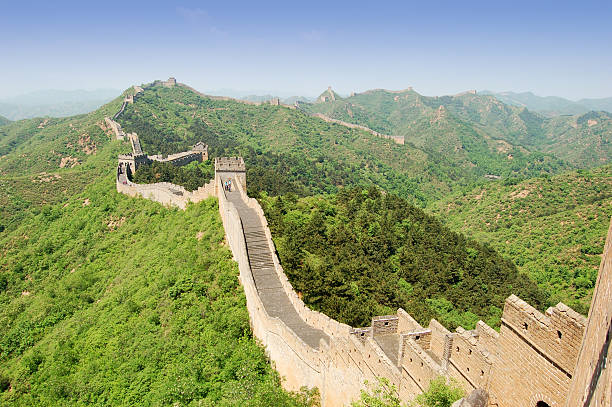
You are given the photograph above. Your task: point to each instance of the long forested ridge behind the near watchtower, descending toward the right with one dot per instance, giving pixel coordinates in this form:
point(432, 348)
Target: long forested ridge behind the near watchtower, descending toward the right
point(288, 151)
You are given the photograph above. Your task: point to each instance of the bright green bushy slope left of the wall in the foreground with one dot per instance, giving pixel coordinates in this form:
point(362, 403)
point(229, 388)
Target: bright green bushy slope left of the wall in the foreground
point(116, 301)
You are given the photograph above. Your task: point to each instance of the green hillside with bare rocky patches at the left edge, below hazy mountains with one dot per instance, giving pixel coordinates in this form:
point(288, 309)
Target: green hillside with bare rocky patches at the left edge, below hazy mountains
point(45, 161)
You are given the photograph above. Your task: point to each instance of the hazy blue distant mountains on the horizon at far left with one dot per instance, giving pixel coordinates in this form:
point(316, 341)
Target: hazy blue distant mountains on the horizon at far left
point(55, 103)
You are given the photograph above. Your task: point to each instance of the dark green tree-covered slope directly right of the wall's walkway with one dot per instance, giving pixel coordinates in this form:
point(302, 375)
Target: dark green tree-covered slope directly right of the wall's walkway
point(363, 253)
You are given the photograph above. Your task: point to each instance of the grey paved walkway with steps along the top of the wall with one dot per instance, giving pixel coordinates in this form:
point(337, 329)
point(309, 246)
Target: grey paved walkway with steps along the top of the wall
point(275, 300)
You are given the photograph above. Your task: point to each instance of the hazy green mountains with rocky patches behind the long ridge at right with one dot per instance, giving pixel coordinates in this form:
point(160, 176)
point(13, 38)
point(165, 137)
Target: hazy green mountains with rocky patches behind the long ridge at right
point(478, 130)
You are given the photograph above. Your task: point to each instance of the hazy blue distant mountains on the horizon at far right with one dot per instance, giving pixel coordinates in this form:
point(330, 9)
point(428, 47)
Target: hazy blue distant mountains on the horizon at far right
point(551, 105)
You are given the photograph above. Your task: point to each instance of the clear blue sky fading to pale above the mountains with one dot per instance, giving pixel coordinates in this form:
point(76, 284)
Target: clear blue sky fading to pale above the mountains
point(300, 47)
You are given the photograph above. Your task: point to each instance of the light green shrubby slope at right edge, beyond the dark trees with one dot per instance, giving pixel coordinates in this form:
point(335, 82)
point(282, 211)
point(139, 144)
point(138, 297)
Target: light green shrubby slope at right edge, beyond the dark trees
point(552, 228)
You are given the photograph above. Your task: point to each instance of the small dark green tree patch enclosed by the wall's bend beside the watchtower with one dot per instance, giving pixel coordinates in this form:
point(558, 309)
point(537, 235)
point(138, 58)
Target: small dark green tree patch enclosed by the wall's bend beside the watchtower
point(191, 176)
